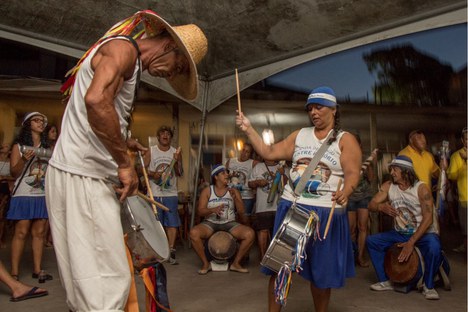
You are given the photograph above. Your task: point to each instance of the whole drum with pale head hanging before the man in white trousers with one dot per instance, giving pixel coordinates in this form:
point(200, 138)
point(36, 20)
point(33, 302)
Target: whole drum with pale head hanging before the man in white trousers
point(146, 237)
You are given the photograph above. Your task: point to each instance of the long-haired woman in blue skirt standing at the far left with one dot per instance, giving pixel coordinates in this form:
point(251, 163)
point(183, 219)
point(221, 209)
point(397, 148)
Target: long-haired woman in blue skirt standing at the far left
point(28, 203)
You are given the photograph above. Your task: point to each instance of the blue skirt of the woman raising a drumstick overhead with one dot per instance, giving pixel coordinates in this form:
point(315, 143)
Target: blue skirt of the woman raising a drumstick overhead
point(329, 262)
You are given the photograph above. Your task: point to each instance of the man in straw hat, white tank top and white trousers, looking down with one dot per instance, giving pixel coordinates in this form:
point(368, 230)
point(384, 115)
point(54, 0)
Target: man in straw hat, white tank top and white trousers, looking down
point(92, 150)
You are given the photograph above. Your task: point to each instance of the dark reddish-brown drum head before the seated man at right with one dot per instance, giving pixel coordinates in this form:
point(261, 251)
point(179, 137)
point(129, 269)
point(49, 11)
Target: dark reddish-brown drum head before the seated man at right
point(400, 272)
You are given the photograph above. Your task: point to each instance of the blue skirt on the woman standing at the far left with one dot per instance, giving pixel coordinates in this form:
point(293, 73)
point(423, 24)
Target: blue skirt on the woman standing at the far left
point(27, 208)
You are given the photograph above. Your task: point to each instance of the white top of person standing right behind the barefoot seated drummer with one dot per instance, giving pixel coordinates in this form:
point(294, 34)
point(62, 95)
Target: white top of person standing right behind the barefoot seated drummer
point(239, 172)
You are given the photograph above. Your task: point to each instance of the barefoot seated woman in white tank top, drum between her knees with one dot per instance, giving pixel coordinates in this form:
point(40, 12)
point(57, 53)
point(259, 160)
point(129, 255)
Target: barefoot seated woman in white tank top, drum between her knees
point(218, 205)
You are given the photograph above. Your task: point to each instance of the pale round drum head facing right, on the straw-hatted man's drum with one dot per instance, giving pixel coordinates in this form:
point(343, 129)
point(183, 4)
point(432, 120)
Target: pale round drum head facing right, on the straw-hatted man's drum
point(143, 223)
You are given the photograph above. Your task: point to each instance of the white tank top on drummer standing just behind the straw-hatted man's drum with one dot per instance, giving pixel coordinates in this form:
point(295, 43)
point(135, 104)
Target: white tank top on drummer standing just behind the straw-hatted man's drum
point(160, 161)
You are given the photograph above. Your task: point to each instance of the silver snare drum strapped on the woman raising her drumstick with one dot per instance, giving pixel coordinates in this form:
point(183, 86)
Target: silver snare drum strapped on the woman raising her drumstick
point(282, 248)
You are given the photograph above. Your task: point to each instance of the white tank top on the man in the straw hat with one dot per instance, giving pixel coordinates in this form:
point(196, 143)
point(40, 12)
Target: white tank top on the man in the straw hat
point(78, 149)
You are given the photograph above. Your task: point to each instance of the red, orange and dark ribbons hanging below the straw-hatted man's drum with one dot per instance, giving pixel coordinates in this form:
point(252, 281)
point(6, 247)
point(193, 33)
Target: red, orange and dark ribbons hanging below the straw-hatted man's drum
point(155, 281)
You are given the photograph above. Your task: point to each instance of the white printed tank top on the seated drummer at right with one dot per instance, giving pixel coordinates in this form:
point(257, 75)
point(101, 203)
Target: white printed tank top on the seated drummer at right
point(409, 209)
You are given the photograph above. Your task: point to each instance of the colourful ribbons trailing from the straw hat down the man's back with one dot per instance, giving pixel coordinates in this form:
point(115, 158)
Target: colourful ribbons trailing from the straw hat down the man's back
point(122, 28)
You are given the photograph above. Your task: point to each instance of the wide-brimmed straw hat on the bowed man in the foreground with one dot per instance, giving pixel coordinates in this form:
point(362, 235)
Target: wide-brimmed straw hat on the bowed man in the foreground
point(191, 40)
